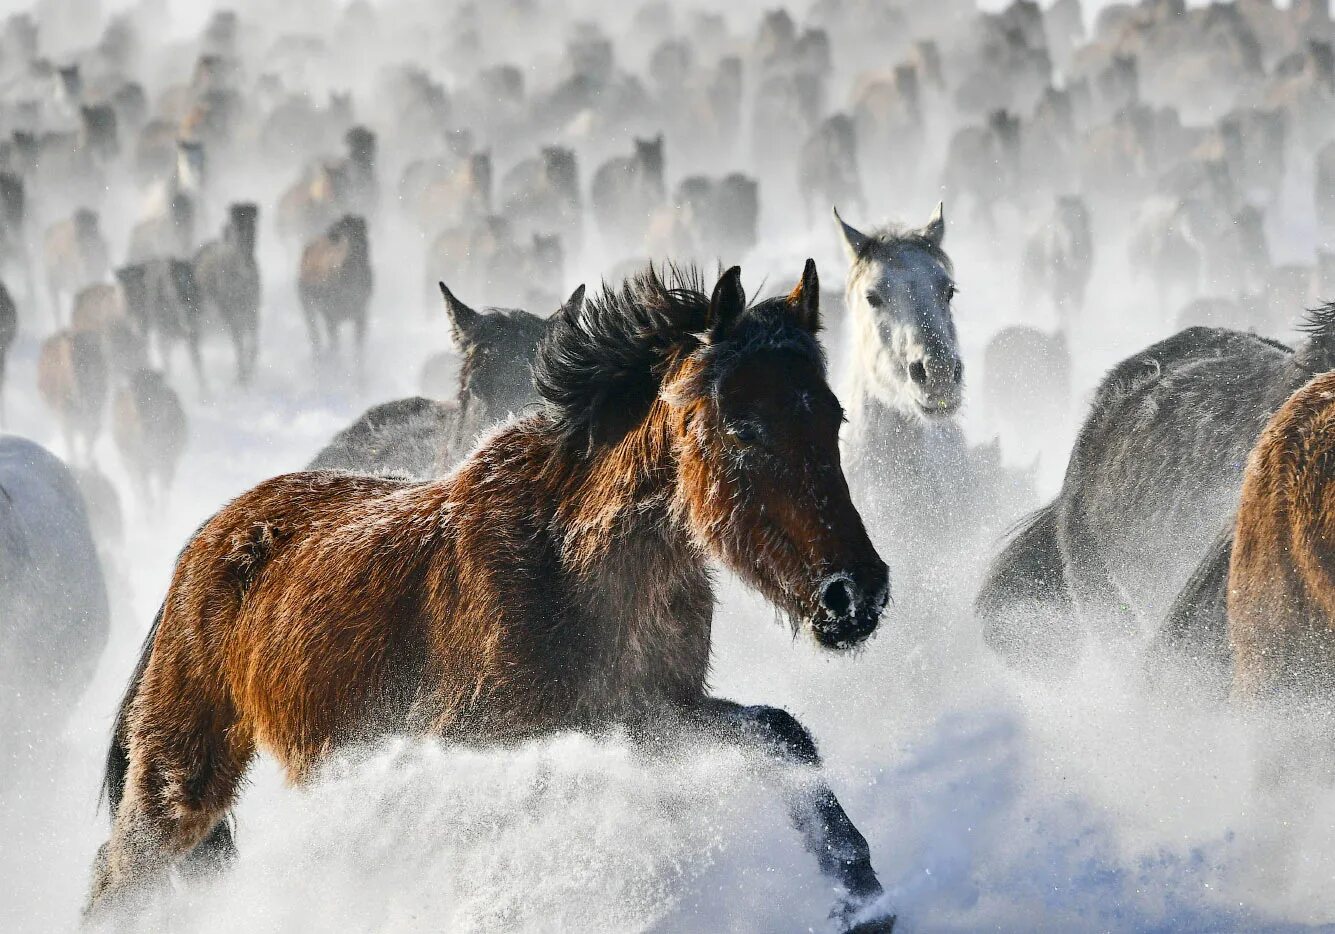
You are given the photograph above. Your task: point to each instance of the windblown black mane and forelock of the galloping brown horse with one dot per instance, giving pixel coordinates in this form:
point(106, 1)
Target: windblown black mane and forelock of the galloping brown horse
point(599, 370)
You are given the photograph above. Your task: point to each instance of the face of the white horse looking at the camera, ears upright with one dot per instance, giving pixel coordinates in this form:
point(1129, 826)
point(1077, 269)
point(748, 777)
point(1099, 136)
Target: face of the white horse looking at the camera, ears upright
point(900, 288)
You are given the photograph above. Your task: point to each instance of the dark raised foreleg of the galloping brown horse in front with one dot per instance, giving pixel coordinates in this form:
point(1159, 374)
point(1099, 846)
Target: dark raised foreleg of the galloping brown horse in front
point(840, 849)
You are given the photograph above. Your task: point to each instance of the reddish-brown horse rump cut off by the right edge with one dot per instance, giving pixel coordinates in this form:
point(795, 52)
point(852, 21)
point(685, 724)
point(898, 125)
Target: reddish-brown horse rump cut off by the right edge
point(1282, 572)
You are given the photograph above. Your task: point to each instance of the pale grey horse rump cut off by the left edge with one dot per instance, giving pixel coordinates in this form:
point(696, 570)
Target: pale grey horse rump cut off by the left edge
point(54, 614)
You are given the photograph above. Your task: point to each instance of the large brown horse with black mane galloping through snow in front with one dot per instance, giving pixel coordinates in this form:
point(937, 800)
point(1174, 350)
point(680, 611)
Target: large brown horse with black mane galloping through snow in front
point(557, 580)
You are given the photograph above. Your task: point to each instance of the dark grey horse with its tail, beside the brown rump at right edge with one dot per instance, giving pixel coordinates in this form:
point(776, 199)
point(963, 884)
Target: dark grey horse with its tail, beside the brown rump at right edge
point(1151, 489)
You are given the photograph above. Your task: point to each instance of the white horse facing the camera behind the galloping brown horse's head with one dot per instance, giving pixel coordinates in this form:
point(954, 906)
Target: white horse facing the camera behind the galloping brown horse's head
point(930, 500)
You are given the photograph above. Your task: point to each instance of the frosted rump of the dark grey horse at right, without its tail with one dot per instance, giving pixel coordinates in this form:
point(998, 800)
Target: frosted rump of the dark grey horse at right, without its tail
point(1158, 464)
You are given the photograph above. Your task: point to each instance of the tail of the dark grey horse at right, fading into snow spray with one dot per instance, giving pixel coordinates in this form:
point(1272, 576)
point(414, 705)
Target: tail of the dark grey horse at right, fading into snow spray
point(1025, 605)
